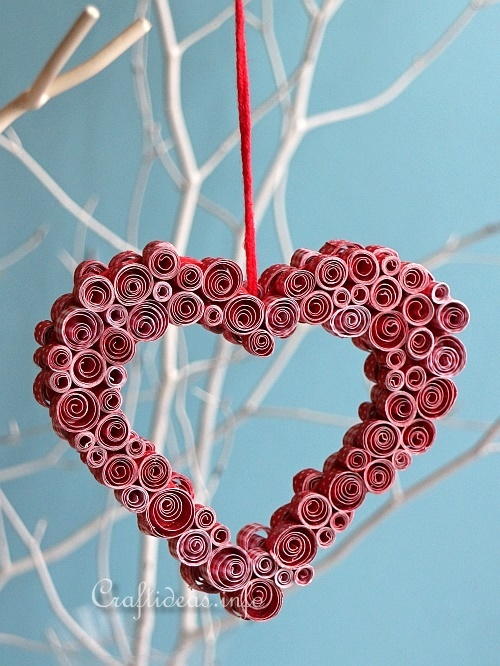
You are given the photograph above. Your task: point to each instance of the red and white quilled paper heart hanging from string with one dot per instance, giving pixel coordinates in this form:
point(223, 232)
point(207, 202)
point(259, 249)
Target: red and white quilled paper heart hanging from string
point(393, 310)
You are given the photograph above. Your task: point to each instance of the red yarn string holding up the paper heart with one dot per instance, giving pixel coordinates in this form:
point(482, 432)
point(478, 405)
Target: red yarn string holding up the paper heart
point(245, 121)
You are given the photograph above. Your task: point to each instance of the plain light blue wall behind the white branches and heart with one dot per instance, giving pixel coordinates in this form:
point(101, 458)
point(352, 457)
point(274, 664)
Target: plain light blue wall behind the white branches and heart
point(423, 588)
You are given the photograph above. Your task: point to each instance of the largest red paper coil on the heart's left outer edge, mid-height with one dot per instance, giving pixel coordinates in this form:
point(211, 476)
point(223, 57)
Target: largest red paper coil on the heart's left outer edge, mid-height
point(76, 410)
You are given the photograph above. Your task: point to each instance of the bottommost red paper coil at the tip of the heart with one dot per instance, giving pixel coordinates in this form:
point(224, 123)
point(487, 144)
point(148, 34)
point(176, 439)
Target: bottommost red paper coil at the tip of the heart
point(260, 600)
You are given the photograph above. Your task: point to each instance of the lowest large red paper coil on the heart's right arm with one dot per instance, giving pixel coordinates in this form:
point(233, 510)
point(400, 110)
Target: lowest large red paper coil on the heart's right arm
point(292, 545)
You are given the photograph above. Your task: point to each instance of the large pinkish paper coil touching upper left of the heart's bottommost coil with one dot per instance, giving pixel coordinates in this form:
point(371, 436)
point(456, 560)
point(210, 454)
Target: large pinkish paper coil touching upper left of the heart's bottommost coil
point(228, 568)
